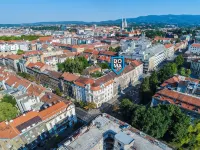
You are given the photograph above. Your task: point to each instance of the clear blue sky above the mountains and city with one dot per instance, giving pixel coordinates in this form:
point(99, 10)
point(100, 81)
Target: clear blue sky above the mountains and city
point(28, 11)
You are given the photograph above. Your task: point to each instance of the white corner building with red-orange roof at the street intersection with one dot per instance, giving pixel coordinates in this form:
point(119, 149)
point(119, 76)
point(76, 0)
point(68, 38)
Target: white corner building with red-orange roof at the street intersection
point(91, 90)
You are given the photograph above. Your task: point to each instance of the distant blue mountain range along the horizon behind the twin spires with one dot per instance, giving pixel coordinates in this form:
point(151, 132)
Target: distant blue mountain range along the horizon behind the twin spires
point(152, 19)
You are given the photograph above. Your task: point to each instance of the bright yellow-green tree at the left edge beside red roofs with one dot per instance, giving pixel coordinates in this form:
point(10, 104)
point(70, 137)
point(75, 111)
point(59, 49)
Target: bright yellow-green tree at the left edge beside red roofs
point(7, 111)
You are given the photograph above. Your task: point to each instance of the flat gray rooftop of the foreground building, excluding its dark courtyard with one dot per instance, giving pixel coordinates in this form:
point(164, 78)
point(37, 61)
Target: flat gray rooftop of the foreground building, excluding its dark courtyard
point(103, 124)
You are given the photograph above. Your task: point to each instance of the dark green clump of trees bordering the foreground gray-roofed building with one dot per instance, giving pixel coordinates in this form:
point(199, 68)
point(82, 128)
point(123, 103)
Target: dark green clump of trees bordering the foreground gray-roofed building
point(164, 121)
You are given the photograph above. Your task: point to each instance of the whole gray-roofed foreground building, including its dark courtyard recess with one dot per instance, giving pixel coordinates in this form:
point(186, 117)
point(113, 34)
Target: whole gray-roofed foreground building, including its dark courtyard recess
point(107, 132)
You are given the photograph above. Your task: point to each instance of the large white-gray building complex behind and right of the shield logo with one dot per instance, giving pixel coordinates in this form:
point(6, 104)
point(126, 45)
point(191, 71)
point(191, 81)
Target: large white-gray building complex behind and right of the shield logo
point(151, 55)
